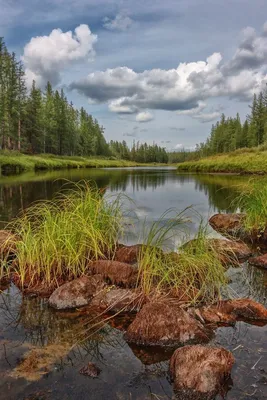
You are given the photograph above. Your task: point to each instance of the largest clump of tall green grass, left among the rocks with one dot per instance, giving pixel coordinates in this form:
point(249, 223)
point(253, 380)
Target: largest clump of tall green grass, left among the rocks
point(58, 238)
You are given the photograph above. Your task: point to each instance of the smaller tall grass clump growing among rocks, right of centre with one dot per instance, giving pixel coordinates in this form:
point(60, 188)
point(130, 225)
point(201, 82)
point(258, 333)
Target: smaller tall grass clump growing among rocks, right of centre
point(194, 273)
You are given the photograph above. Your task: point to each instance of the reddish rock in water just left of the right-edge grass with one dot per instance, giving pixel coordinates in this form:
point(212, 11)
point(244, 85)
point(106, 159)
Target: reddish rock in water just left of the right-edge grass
point(228, 224)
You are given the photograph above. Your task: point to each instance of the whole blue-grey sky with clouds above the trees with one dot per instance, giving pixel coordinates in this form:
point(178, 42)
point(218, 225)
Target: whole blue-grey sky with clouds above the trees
point(151, 70)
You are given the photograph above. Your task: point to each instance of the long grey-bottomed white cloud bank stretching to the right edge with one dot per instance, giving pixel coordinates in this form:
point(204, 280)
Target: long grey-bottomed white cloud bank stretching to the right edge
point(184, 89)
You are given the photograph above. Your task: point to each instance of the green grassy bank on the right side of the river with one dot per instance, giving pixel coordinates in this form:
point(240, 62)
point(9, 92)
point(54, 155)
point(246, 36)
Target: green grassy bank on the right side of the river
point(248, 161)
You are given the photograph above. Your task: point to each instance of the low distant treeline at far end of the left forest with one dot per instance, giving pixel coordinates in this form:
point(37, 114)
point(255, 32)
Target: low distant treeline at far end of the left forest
point(141, 153)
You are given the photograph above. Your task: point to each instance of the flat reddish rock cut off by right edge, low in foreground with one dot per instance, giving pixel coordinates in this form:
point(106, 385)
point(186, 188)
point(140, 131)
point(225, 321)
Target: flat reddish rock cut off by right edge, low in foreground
point(229, 311)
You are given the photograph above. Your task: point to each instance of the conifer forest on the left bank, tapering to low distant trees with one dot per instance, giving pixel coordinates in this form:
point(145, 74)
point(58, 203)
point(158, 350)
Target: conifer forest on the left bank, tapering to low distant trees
point(45, 122)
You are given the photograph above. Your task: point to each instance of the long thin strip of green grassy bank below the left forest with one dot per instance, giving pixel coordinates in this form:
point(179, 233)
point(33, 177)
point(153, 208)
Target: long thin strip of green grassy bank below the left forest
point(17, 162)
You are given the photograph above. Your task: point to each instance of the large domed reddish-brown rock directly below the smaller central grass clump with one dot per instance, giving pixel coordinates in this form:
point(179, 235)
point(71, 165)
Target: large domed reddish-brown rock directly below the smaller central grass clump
point(165, 324)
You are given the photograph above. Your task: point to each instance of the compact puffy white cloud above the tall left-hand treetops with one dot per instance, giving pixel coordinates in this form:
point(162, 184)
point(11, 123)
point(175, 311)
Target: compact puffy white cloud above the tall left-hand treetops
point(45, 57)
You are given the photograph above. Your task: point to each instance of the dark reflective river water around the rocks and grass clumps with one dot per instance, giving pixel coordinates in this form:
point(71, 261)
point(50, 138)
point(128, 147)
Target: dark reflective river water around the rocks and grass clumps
point(127, 373)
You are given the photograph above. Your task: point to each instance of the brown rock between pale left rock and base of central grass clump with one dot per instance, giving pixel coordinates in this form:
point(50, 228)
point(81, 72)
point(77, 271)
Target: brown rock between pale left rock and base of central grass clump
point(119, 300)
